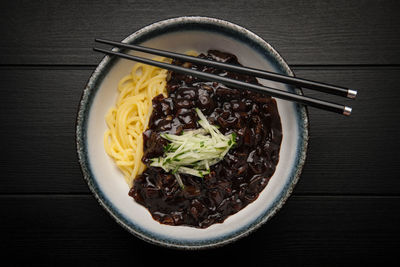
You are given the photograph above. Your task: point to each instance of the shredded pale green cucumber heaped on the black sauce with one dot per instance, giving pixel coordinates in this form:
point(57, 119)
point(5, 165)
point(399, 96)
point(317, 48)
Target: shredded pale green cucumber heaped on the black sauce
point(195, 151)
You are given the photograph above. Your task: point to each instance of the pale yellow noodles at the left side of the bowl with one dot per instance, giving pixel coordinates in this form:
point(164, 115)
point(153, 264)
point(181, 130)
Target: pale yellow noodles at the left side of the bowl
point(129, 118)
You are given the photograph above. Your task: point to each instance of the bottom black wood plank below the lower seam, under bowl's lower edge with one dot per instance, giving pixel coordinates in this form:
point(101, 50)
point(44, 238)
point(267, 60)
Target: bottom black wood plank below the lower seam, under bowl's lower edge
point(311, 231)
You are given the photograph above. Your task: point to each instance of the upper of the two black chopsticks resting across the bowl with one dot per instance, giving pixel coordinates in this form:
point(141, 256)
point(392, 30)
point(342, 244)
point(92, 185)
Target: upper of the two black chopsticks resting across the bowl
point(323, 87)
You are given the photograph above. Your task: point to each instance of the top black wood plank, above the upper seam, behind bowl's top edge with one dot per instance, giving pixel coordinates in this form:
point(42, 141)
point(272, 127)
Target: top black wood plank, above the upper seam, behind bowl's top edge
point(304, 32)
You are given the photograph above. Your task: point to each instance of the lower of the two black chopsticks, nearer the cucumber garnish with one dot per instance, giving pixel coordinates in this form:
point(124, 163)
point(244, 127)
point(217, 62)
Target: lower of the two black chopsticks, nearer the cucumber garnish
point(329, 106)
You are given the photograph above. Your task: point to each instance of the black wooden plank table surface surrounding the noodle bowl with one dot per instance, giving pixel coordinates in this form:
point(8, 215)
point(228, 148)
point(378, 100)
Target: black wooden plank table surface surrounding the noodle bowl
point(345, 209)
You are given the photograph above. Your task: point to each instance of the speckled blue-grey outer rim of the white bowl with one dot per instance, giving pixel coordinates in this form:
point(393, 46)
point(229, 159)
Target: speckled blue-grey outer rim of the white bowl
point(84, 110)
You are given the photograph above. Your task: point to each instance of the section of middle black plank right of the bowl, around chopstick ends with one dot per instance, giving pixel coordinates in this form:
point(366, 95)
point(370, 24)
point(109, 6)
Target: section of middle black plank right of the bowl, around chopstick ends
point(357, 154)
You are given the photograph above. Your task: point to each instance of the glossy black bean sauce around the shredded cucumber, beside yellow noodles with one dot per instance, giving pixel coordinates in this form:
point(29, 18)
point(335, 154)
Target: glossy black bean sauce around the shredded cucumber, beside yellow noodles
point(235, 181)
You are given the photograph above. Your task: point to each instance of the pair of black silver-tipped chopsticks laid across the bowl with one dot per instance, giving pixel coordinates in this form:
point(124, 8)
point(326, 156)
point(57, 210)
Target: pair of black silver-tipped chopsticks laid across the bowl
point(309, 101)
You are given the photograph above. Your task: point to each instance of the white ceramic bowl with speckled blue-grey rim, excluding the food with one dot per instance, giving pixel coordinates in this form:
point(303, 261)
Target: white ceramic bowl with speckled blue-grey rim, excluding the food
point(107, 183)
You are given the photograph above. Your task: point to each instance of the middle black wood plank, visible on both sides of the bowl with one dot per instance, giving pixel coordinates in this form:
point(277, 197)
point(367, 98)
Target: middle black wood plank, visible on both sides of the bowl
point(354, 155)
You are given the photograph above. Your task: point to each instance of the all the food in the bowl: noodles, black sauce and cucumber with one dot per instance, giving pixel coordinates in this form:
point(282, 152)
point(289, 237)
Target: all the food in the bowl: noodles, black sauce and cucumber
point(209, 149)
